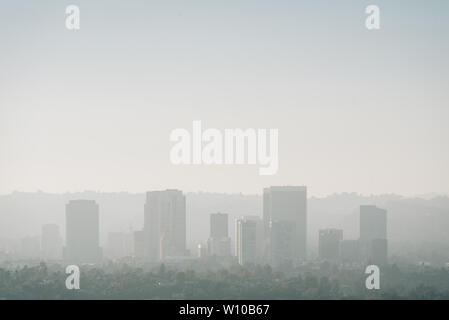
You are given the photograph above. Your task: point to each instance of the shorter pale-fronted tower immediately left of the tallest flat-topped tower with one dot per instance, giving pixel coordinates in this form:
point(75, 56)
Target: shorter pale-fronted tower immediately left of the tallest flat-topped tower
point(249, 245)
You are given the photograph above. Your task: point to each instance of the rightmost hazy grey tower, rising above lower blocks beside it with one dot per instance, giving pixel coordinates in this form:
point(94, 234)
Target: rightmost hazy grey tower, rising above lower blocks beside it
point(373, 234)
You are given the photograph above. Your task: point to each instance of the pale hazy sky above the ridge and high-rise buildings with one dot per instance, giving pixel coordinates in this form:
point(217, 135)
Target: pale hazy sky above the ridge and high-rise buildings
point(357, 110)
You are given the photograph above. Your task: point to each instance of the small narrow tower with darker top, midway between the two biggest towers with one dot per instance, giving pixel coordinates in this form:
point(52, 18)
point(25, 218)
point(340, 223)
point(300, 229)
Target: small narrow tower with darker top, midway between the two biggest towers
point(219, 243)
